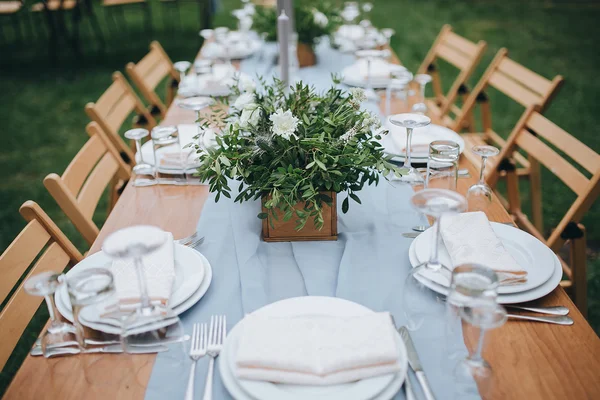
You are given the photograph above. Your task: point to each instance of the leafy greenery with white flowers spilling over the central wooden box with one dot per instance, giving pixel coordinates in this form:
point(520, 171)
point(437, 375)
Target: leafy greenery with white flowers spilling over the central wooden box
point(296, 149)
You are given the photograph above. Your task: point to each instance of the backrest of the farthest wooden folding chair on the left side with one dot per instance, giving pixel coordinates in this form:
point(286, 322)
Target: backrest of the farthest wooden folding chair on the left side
point(149, 72)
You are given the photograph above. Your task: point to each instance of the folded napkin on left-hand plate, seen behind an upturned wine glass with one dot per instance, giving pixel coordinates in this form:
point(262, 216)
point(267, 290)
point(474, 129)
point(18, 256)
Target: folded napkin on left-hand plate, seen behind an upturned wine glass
point(159, 270)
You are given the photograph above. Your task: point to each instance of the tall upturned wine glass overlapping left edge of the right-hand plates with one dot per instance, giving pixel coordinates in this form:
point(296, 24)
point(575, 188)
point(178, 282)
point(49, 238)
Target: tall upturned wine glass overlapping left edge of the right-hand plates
point(423, 311)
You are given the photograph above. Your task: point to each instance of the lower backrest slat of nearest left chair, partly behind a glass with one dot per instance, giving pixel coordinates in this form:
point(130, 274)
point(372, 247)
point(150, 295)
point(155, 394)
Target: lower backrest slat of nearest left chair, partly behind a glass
point(22, 306)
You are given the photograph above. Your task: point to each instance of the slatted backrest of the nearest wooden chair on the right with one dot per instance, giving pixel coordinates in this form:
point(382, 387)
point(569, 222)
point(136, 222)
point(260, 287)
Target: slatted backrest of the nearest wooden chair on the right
point(537, 136)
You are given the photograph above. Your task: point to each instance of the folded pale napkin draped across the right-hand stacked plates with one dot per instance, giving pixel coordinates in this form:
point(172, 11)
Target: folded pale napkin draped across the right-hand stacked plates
point(470, 239)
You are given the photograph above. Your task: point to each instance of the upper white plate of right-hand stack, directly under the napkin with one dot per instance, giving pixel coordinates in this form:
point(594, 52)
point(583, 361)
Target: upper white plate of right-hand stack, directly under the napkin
point(528, 252)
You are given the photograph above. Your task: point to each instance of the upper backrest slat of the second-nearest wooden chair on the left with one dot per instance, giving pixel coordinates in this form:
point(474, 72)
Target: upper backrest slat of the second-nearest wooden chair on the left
point(79, 168)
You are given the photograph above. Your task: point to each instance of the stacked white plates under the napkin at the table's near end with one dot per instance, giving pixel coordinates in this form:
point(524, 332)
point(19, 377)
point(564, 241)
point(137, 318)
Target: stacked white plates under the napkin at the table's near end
point(382, 387)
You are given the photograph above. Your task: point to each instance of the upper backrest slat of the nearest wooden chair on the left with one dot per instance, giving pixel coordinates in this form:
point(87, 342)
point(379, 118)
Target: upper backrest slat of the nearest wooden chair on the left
point(20, 254)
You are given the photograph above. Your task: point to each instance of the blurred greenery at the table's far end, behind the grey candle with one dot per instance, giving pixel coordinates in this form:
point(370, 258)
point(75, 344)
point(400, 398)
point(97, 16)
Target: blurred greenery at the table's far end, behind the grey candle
point(313, 20)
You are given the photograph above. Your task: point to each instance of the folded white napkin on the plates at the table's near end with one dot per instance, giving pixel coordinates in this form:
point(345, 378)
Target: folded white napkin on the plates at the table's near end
point(316, 350)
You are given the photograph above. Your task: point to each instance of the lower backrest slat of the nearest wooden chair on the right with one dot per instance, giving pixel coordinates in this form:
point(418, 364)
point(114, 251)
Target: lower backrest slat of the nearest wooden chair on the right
point(553, 161)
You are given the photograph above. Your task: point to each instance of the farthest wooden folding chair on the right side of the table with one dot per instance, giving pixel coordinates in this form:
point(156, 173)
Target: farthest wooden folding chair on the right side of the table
point(460, 53)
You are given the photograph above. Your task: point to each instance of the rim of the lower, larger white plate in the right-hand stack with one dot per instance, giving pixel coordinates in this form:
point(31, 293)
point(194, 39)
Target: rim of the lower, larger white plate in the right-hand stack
point(509, 298)
